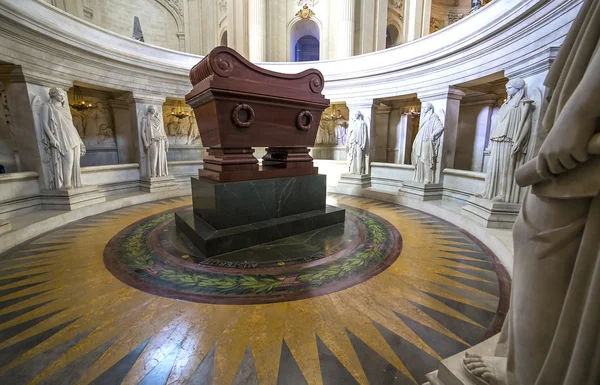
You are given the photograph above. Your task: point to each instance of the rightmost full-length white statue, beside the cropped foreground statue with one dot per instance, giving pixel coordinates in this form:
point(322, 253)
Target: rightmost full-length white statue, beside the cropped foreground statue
point(509, 143)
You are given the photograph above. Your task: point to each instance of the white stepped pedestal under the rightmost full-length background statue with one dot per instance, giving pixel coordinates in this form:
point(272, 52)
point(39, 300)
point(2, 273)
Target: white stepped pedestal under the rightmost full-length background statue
point(496, 215)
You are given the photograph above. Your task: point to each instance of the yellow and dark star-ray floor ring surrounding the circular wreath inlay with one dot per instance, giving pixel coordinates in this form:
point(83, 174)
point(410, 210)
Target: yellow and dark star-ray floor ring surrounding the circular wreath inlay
point(64, 319)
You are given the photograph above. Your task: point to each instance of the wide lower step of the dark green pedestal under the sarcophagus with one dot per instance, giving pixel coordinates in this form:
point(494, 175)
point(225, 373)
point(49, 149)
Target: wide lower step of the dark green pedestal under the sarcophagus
point(211, 241)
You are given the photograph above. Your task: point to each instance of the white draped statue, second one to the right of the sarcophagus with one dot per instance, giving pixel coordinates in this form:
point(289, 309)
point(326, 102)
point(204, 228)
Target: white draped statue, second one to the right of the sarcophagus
point(426, 145)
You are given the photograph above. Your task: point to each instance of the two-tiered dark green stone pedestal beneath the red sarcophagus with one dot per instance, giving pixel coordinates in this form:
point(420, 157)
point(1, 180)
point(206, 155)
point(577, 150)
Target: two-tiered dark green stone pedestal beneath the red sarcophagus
point(235, 215)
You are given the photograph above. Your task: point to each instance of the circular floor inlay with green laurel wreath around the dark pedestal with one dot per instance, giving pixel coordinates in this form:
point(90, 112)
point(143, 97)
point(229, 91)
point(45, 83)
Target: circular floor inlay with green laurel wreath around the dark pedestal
point(152, 256)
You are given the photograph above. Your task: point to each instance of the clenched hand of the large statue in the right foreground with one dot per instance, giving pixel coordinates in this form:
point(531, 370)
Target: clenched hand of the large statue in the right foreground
point(566, 144)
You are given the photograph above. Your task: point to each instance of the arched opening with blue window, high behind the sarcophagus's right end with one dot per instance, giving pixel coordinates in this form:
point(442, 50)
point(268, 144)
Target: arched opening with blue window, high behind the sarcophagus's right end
point(304, 41)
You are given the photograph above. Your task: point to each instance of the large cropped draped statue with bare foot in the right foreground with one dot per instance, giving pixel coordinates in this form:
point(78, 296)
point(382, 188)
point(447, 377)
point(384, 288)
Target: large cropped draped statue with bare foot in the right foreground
point(551, 333)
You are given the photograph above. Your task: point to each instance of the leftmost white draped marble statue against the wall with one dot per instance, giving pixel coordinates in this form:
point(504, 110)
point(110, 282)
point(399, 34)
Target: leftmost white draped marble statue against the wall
point(61, 141)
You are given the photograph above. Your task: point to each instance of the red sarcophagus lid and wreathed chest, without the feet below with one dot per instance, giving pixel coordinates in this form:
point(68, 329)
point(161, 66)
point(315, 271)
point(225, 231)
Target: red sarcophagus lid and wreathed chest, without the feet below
point(240, 105)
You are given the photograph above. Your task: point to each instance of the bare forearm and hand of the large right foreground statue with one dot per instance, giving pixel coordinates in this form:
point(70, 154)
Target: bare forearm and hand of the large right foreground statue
point(566, 144)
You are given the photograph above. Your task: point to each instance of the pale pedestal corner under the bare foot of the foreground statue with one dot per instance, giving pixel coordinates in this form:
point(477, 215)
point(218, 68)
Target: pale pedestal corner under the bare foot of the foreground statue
point(450, 371)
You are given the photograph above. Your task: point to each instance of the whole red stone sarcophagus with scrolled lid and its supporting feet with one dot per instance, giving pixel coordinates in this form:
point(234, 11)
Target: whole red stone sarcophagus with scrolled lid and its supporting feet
point(239, 105)
